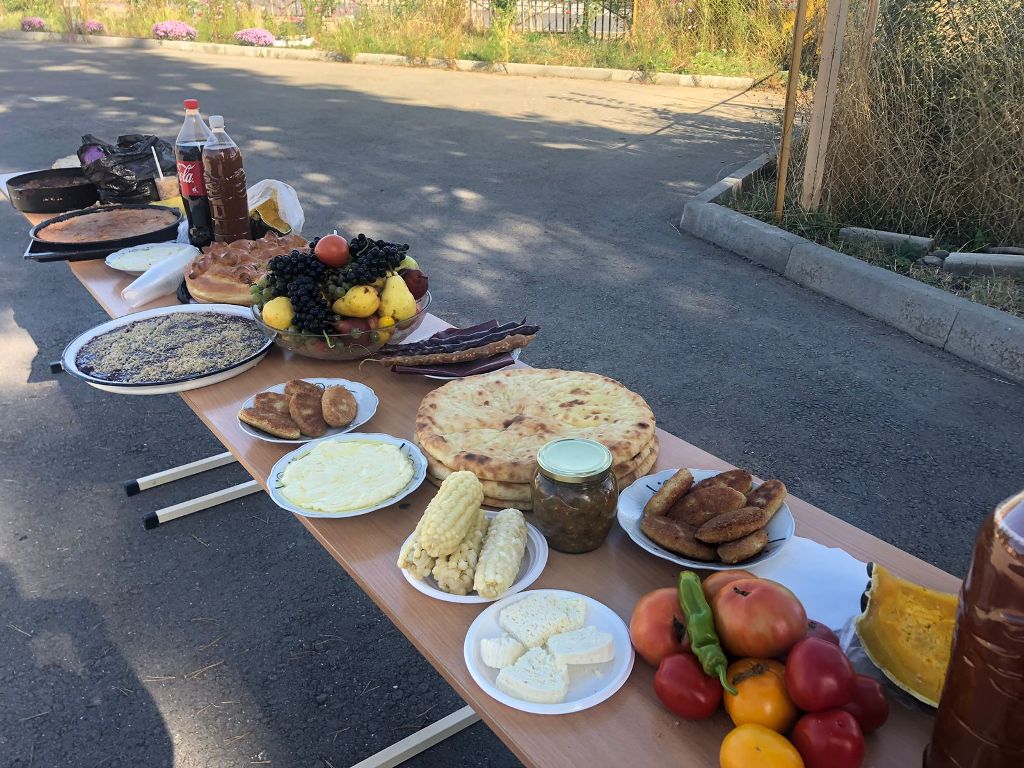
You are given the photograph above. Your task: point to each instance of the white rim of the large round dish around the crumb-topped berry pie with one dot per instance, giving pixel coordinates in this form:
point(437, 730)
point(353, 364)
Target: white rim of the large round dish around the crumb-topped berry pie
point(71, 353)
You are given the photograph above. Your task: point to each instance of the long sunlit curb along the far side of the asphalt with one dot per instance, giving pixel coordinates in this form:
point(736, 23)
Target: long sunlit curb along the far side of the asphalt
point(389, 60)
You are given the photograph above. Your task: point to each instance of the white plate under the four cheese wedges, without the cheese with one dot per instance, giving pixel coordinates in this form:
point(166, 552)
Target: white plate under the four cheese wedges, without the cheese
point(589, 685)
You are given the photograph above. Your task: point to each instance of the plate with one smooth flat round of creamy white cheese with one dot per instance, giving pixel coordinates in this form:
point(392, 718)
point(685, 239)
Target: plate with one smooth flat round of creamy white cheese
point(347, 476)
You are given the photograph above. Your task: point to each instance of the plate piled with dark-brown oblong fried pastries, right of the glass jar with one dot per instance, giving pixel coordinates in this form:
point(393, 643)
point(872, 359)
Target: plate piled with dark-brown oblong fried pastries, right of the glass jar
point(704, 519)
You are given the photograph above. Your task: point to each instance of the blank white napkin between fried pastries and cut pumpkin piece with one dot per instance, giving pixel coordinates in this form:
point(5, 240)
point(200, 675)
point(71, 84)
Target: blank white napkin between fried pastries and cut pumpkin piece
point(828, 581)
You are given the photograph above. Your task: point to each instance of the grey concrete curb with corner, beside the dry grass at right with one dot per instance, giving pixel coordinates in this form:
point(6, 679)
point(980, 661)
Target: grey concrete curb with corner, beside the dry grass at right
point(973, 332)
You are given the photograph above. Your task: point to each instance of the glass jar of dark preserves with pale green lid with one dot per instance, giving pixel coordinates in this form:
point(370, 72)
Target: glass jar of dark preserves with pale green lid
point(575, 495)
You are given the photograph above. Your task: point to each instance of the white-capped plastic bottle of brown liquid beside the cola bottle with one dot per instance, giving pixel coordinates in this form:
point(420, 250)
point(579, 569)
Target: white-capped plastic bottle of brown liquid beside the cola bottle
point(226, 186)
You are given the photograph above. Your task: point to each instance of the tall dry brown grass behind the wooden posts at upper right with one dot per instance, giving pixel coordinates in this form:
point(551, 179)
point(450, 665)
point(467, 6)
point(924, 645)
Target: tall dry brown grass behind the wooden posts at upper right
point(929, 139)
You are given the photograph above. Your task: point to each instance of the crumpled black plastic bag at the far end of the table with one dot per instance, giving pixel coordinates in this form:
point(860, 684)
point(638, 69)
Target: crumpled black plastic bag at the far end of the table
point(124, 173)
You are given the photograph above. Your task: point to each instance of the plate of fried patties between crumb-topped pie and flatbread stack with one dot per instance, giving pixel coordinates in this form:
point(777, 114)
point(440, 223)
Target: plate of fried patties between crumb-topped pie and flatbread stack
point(303, 410)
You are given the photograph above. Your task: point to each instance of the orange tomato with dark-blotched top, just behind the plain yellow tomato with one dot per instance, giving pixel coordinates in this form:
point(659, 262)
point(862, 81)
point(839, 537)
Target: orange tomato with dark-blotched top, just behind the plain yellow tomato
point(761, 697)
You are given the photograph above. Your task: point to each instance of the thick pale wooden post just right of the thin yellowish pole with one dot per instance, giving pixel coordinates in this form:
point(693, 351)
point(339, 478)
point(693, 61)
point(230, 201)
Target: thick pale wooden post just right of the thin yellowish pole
point(825, 103)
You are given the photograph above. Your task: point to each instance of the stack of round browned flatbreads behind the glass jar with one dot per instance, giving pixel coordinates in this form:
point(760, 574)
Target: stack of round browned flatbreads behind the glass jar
point(493, 425)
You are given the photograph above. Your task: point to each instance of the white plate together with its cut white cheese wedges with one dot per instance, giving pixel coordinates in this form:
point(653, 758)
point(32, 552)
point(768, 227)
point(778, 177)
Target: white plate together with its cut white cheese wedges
point(549, 652)
